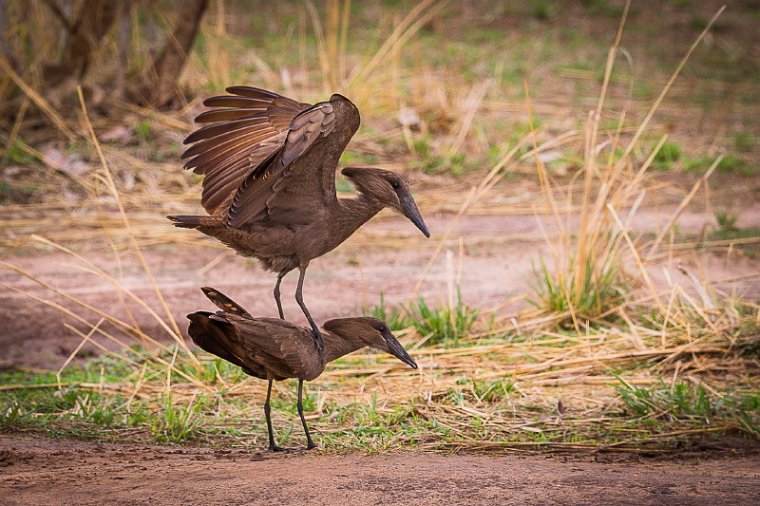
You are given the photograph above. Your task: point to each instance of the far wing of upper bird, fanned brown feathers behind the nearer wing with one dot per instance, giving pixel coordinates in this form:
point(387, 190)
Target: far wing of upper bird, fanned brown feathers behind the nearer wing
point(244, 129)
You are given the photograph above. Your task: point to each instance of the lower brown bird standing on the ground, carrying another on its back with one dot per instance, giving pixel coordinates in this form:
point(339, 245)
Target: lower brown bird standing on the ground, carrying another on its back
point(275, 349)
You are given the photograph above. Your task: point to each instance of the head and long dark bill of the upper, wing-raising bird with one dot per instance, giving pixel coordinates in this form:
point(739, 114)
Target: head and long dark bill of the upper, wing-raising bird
point(389, 189)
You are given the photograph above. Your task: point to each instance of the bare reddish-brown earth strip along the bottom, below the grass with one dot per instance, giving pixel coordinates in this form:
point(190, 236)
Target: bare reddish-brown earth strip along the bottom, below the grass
point(39, 471)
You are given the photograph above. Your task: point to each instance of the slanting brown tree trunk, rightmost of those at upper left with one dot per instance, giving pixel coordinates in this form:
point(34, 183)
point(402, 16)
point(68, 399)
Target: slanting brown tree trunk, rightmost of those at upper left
point(161, 85)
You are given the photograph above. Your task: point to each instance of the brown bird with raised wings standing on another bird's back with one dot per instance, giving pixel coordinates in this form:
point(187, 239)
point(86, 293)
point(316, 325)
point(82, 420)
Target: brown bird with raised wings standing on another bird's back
point(269, 188)
